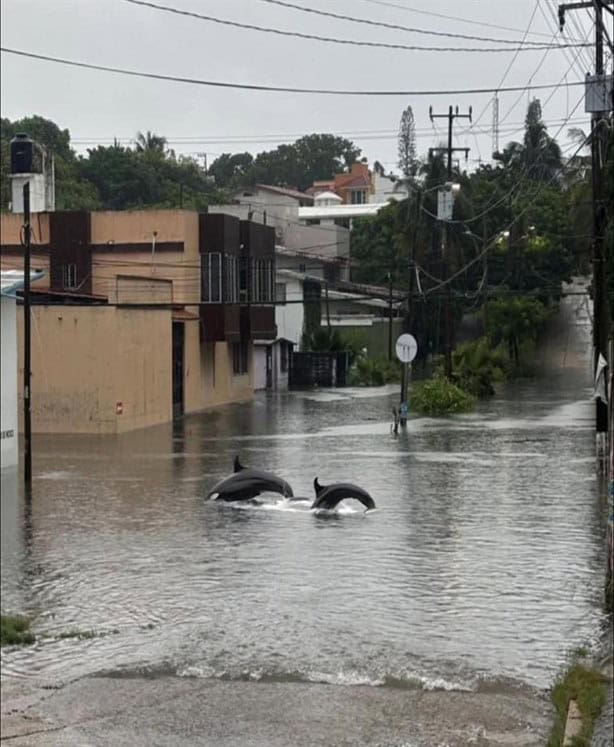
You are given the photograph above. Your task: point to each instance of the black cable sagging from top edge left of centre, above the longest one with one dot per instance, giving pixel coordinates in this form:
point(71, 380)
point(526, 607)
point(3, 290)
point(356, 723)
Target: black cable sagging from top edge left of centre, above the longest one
point(327, 39)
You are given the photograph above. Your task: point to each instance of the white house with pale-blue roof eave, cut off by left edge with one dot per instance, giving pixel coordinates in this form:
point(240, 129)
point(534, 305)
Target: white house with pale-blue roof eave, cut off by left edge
point(10, 282)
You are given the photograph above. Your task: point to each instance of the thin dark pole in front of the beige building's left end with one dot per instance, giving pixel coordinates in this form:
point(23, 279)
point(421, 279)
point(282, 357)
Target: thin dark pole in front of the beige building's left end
point(27, 363)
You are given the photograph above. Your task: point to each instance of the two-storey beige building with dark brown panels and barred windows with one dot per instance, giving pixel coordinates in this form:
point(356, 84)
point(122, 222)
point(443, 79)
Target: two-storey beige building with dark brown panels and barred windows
point(141, 315)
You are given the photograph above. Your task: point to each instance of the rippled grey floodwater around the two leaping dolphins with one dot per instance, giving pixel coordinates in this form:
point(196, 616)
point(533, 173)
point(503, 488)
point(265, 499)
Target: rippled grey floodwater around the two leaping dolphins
point(483, 559)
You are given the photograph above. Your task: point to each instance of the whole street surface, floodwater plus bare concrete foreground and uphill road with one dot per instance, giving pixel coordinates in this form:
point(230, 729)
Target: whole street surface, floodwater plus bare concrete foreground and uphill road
point(441, 617)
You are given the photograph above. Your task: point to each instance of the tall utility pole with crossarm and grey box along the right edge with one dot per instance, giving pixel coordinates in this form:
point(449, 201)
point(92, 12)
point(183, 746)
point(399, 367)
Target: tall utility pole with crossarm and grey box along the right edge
point(599, 109)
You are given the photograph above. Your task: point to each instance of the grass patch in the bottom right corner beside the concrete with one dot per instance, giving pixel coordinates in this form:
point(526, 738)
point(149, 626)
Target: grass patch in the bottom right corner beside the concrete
point(588, 688)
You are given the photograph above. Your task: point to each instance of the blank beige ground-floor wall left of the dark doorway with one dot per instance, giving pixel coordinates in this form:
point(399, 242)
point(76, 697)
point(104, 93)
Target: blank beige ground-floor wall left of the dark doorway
point(99, 369)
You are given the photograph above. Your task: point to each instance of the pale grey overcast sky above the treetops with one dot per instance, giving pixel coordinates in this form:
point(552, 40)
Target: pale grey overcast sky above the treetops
point(98, 106)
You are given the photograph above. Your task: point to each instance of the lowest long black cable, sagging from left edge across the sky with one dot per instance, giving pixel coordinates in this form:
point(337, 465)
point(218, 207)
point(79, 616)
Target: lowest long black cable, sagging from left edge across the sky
point(274, 89)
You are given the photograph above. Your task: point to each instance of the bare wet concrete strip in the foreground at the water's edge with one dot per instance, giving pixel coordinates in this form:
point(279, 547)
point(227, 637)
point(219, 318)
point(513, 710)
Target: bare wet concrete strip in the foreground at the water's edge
point(182, 712)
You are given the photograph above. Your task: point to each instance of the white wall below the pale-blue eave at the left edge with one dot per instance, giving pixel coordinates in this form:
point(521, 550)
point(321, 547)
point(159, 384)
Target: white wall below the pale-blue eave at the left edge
point(8, 364)
